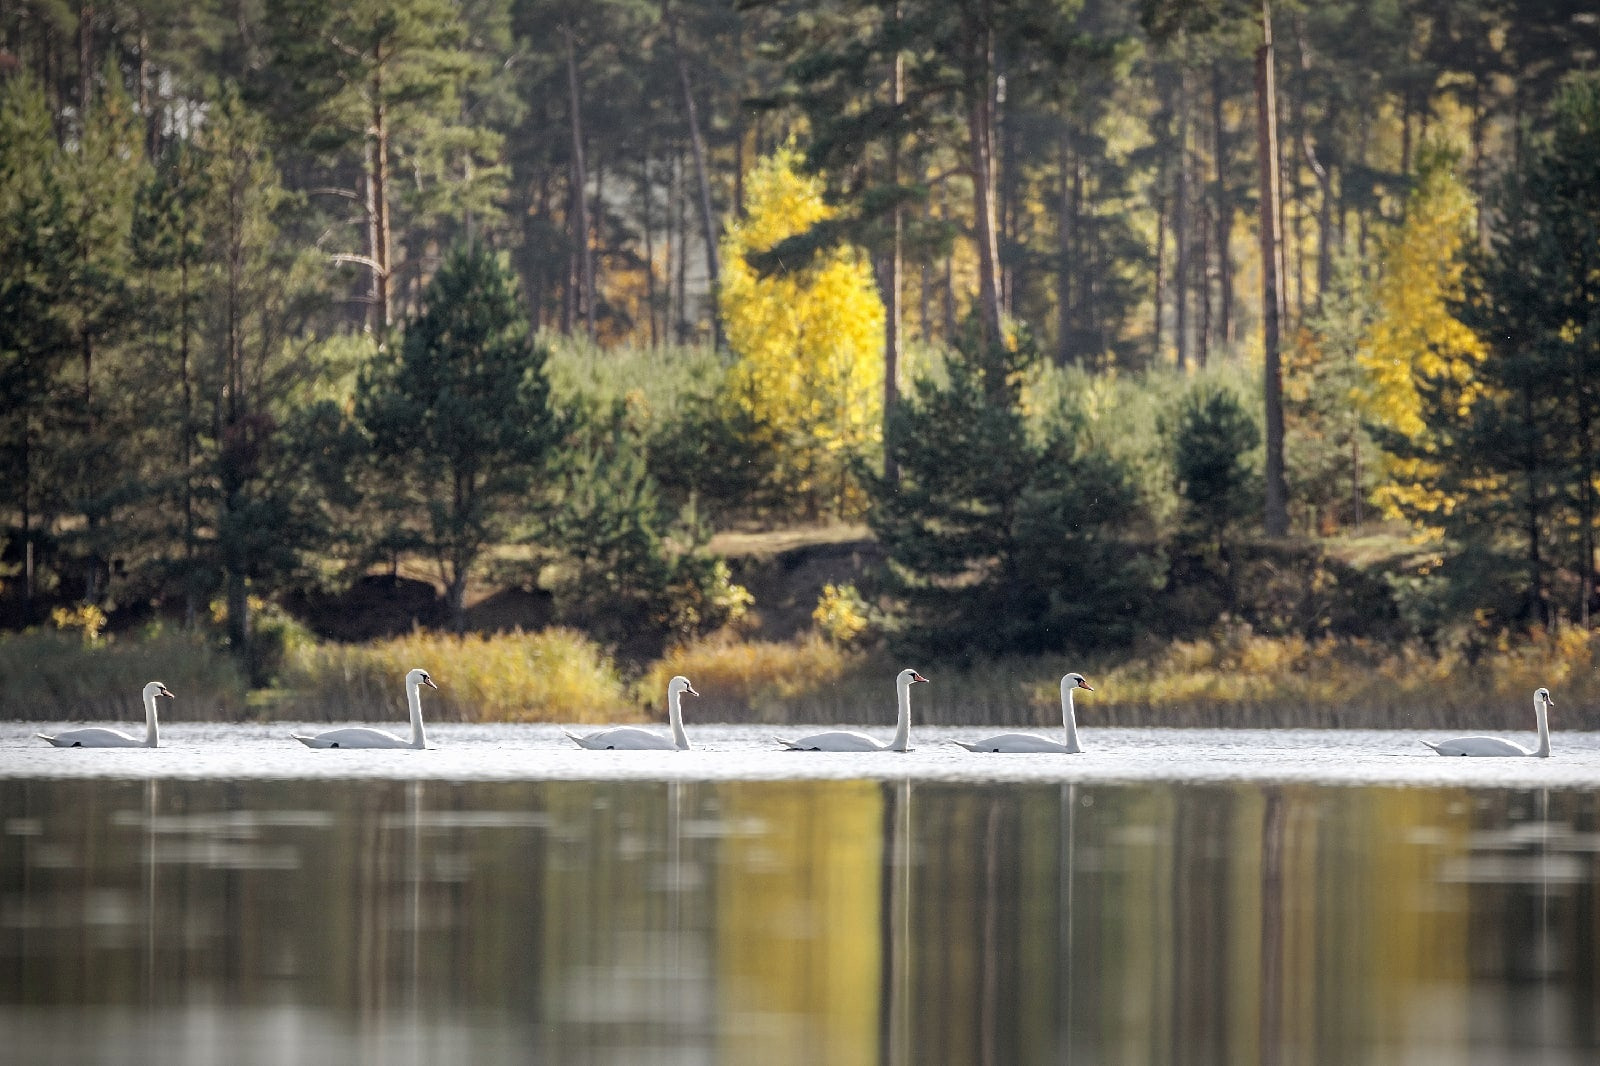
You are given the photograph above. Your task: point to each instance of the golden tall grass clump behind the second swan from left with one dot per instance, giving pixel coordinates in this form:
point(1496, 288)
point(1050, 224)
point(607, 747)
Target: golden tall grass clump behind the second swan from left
point(550, 676)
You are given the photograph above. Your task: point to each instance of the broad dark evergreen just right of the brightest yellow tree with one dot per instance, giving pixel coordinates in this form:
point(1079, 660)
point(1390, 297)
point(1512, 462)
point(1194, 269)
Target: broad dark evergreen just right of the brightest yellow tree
point(1002, 540)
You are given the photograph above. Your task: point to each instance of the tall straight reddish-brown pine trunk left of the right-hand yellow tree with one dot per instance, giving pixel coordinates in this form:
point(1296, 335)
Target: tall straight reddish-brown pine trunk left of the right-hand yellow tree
point(1278, 494)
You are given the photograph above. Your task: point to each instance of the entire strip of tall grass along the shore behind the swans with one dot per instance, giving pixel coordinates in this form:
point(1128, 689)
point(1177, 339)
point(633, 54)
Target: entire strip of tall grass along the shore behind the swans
point(1233, 678)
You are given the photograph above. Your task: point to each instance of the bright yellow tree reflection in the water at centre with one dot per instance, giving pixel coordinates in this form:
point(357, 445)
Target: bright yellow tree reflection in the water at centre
point(799, 932)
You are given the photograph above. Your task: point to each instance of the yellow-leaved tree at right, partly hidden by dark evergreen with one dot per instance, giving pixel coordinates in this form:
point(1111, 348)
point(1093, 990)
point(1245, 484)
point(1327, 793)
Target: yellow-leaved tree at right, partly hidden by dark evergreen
point(1414, 335)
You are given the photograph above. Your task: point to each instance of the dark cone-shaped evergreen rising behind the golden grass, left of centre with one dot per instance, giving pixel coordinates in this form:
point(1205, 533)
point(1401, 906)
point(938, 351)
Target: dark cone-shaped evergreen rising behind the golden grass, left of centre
point(462, 415)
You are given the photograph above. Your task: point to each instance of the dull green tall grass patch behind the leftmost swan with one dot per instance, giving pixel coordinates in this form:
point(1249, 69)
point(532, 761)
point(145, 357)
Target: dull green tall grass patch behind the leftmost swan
point(58, 676)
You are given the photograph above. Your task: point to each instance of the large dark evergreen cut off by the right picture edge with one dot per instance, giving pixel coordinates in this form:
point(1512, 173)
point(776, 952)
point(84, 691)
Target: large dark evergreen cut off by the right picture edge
point(1516, 449)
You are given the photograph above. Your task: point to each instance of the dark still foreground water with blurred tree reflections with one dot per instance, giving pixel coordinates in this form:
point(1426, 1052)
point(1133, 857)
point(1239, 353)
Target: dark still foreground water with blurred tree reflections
point(794, 923)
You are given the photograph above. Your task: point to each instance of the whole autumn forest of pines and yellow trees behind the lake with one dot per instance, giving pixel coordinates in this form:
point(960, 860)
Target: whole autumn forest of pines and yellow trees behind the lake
point(1231, 350)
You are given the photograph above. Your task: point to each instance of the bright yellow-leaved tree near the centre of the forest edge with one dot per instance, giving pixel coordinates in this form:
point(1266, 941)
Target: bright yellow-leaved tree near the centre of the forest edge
point(809, 343)
